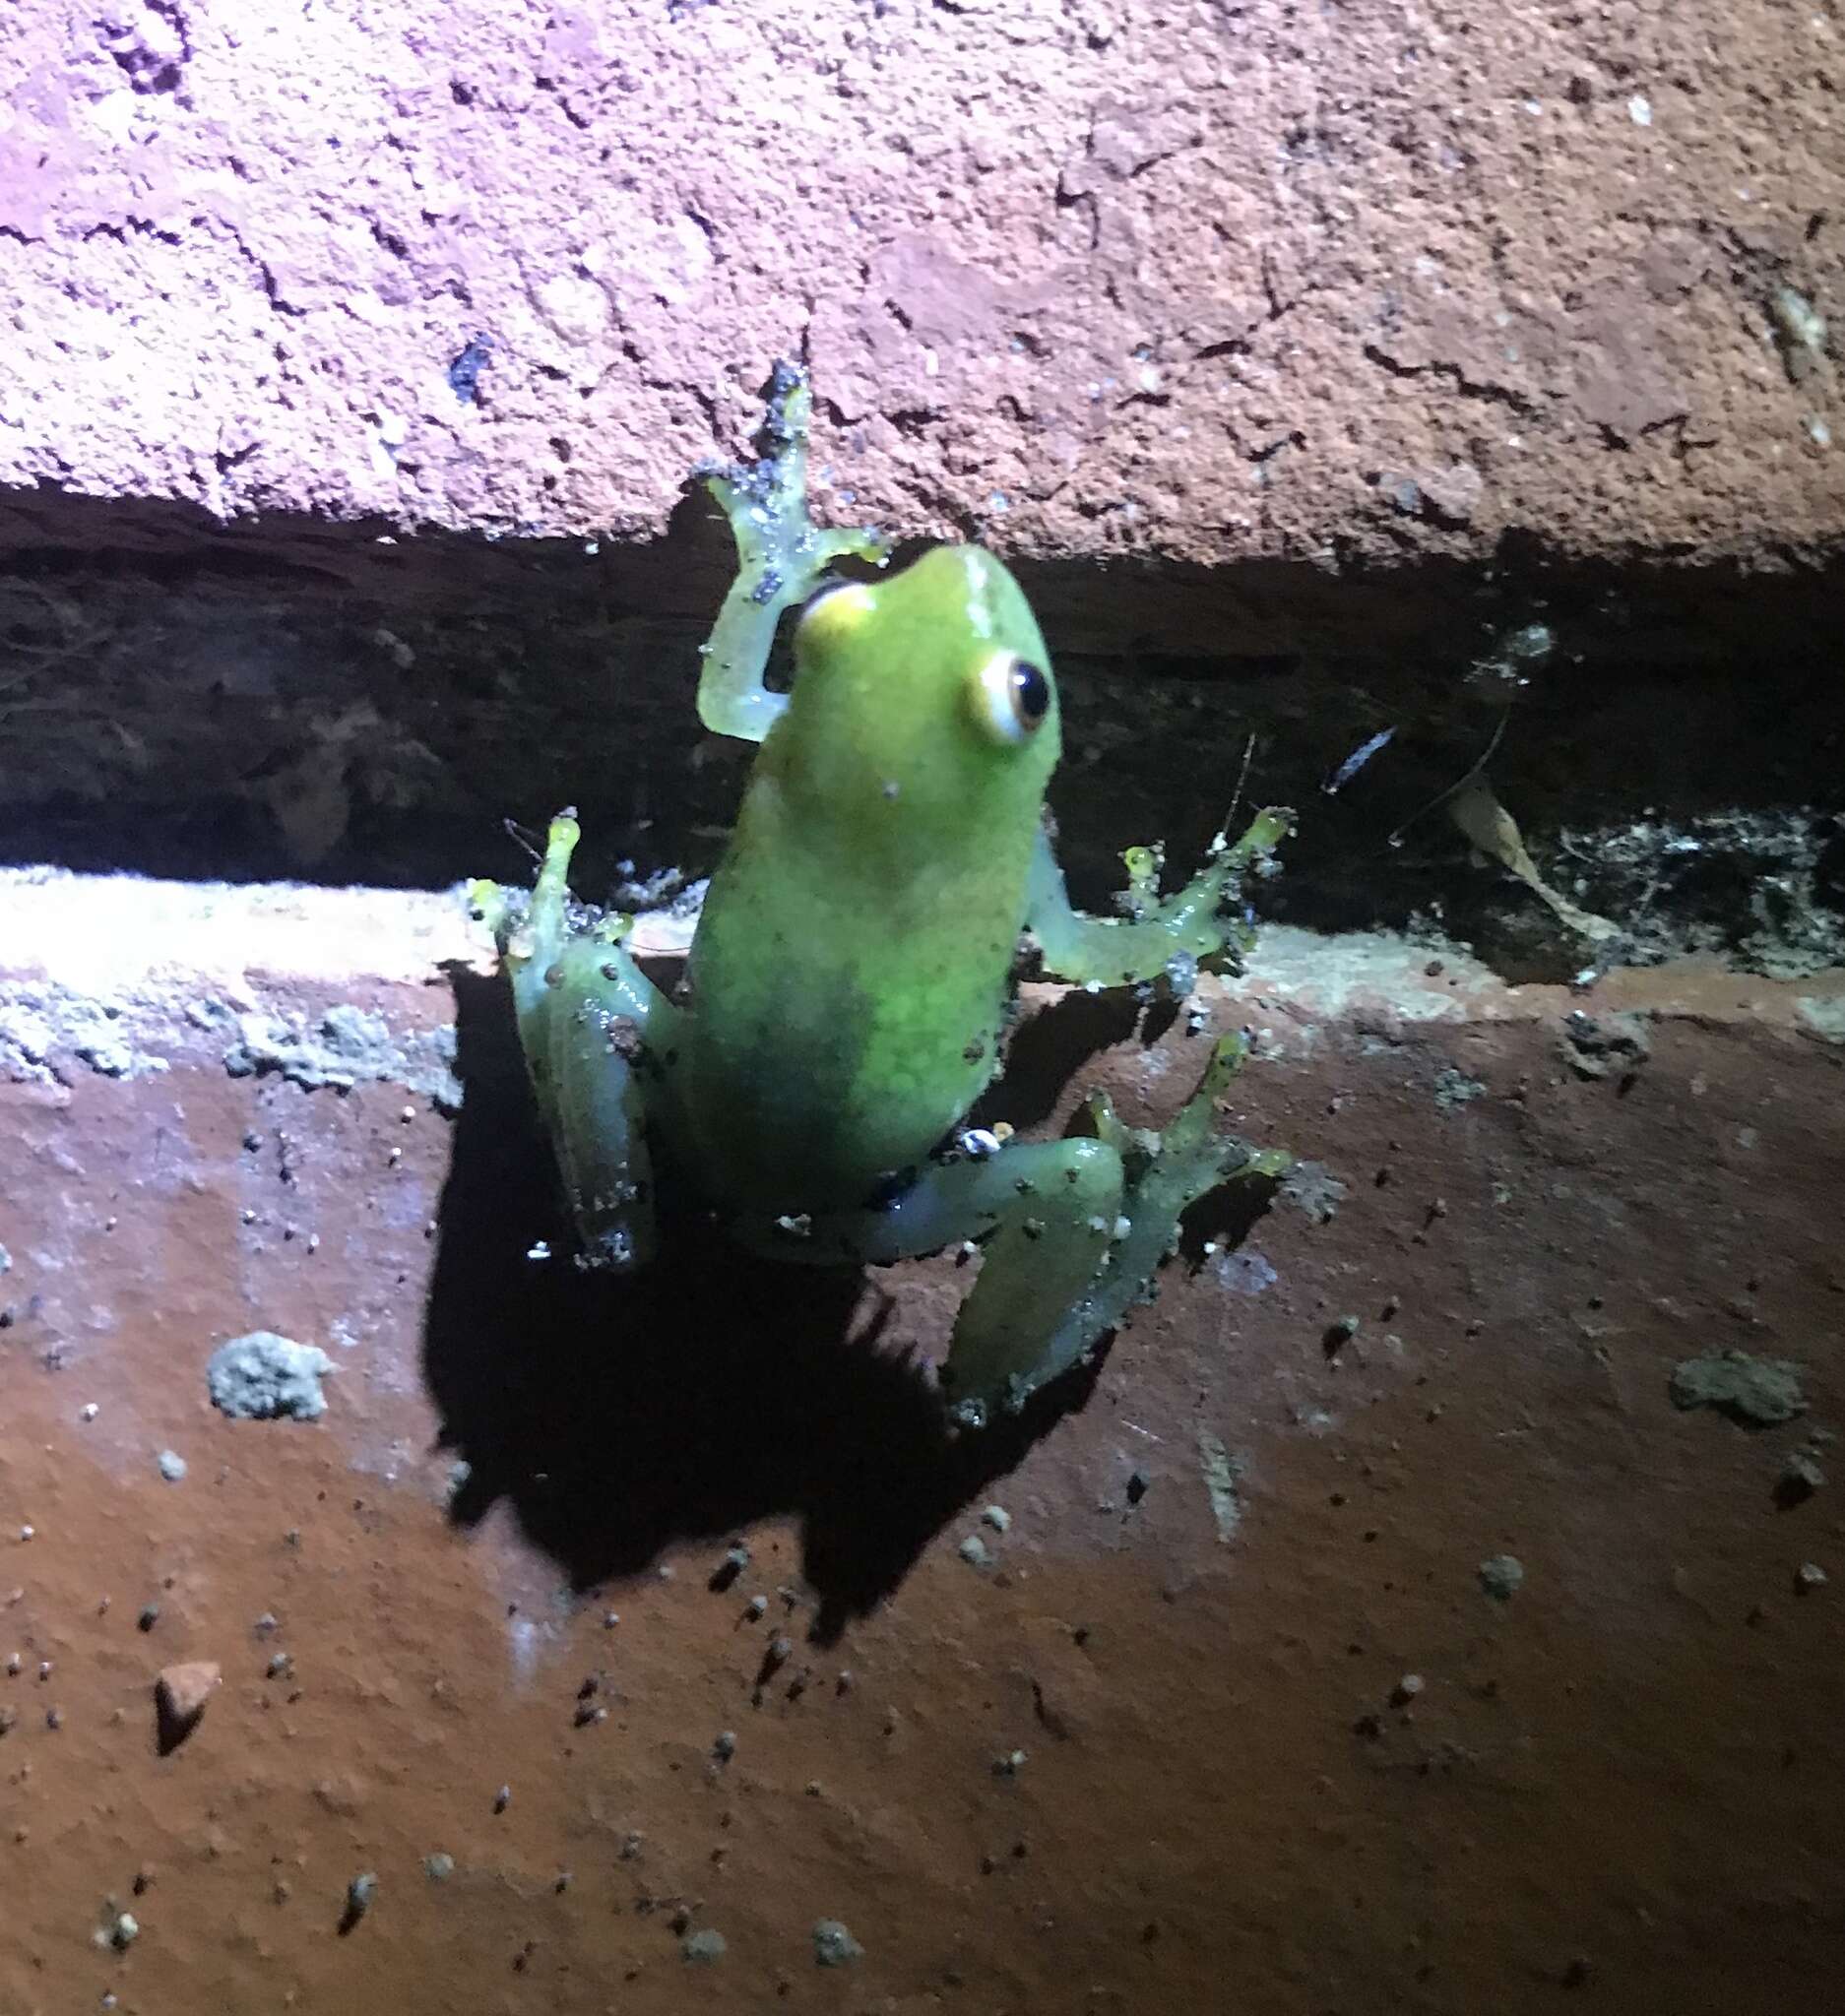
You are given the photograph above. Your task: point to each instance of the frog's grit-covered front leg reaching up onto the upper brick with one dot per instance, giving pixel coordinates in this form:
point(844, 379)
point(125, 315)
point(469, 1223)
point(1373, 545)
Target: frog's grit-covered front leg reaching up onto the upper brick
point(781, 559)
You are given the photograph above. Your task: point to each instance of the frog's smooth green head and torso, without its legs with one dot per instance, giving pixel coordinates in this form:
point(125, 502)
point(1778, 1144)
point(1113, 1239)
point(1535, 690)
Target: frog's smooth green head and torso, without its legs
point(854, 959)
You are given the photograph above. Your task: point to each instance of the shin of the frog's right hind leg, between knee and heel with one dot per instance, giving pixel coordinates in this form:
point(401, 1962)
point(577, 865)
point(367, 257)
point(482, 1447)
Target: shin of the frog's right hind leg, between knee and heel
point(1054, 1211)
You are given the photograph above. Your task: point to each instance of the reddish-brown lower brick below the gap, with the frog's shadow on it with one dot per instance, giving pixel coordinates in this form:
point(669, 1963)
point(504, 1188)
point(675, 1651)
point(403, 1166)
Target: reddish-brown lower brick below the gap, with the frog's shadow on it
point(1199, 1624)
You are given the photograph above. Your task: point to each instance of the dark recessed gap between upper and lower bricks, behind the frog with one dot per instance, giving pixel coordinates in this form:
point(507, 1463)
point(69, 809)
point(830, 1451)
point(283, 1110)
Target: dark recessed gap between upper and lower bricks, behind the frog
point(316, 703)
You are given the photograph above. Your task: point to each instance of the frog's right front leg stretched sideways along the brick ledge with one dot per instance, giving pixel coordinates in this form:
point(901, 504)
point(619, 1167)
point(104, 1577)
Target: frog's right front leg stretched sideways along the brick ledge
point(1156, 936)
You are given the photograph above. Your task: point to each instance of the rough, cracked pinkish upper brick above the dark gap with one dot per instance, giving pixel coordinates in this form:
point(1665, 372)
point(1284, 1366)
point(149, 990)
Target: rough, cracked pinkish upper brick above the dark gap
point(1201, 281)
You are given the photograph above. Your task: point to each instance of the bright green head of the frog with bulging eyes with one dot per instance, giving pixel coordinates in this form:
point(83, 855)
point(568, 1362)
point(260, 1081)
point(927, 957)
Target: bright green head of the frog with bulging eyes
point(929, 692)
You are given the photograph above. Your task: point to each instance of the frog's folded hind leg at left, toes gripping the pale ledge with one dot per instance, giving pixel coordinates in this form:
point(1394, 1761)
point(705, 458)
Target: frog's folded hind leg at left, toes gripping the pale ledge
point(592, 1027)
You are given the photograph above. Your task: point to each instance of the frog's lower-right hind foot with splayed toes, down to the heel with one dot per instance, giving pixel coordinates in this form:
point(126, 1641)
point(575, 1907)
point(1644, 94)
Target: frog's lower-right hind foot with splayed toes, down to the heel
point(1017, 1332)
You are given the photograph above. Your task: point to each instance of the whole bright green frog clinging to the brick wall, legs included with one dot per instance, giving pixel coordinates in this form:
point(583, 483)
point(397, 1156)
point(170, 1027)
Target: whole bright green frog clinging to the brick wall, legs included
point(852, 977)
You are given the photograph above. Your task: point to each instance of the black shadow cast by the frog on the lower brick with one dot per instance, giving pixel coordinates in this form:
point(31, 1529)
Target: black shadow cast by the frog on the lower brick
point(622, 1416)
